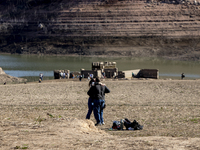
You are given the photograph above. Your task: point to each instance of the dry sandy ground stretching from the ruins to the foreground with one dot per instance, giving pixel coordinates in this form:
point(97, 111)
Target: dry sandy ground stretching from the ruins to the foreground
point(51, 115)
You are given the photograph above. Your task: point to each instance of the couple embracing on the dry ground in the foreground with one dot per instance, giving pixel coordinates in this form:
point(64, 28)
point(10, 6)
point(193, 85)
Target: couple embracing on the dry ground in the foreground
point(96, 101)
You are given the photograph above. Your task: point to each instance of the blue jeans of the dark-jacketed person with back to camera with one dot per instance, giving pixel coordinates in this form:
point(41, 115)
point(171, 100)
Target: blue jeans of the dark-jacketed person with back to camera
point(98, 110)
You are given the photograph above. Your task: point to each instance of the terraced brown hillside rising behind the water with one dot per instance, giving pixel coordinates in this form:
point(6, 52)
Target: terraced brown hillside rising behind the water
point(107, 27)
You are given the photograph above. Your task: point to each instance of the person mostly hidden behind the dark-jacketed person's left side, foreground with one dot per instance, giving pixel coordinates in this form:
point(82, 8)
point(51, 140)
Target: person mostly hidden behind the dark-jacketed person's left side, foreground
point(90, 100)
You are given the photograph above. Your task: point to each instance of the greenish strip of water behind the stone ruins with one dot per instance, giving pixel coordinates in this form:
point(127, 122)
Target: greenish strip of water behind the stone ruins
point(28, 65)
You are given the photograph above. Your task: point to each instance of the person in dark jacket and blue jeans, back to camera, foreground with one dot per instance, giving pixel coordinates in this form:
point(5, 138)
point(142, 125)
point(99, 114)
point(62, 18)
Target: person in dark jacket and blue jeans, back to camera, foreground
point(98, 93)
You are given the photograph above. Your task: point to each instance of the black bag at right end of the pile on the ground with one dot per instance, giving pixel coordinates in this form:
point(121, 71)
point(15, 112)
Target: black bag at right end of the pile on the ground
point(132, 125)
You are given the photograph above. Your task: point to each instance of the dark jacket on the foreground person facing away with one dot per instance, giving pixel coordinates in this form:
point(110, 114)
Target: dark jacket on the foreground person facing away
point(98, 91)
